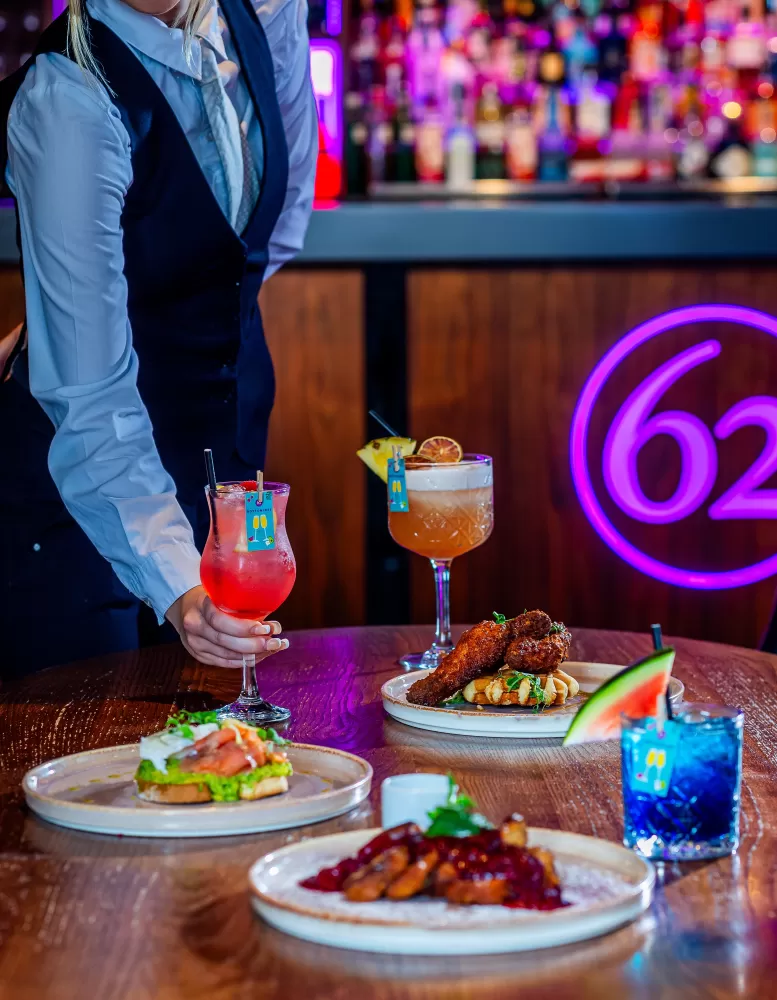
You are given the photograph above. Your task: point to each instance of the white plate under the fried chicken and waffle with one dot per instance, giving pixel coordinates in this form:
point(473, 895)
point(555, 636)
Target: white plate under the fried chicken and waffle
point(503, 723)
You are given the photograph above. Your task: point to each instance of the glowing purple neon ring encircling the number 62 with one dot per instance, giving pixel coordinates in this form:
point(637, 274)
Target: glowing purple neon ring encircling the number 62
point(578, 449)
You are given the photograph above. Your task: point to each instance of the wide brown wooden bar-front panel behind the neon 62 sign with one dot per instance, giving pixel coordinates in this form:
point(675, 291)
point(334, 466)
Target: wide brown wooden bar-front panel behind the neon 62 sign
point(497, 359)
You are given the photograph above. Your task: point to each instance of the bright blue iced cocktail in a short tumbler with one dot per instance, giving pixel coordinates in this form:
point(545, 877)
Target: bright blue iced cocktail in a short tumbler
point(681, 783)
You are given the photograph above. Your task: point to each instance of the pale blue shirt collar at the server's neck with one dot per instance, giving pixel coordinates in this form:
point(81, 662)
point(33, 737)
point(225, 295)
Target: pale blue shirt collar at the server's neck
point(155, 39)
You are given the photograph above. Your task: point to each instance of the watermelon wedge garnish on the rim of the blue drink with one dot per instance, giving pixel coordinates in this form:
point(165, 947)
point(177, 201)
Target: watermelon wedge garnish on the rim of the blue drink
point(637, 691)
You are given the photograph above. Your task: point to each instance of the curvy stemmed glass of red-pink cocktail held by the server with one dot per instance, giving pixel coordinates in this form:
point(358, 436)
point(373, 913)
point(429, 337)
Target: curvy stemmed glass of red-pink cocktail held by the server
point(247, 584)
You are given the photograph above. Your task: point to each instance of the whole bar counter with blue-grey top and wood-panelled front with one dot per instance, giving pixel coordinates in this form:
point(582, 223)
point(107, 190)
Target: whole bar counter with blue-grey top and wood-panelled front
point(483, 319)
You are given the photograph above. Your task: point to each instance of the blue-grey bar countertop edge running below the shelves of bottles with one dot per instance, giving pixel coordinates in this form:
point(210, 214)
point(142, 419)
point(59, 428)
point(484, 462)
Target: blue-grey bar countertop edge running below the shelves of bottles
point(490, 230)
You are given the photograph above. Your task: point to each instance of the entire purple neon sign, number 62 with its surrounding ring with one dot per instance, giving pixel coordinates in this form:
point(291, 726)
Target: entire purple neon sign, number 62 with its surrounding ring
point(634, 426)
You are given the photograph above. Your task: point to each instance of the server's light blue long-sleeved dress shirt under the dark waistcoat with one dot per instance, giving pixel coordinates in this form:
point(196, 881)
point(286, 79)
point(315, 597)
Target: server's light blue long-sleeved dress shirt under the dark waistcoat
point(70, 169)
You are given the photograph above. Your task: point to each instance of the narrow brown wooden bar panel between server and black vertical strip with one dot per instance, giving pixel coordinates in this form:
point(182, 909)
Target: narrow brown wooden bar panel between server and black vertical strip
point(314, 327)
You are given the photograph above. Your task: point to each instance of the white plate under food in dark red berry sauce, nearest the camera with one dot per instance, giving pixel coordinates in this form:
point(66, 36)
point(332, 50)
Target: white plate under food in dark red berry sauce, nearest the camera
point(607, 886)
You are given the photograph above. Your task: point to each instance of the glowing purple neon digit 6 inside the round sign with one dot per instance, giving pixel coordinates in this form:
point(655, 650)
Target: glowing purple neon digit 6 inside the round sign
point(630, 431)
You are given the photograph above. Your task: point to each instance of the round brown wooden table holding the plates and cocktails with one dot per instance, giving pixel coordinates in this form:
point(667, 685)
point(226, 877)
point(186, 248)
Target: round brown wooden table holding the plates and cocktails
point(102, 917)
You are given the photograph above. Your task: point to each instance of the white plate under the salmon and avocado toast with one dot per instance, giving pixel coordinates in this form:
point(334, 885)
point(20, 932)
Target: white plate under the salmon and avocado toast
point(95, 791)
